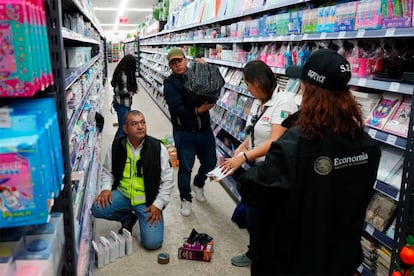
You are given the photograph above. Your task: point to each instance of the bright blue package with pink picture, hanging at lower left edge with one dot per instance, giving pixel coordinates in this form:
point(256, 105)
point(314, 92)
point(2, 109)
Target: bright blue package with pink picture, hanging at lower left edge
point(23, 196)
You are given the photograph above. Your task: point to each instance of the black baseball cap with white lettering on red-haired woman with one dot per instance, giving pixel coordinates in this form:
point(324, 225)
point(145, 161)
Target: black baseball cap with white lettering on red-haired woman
point(324, 68)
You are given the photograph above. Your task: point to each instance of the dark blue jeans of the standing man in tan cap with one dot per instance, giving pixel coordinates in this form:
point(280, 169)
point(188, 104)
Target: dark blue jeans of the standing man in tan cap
point(190, 144)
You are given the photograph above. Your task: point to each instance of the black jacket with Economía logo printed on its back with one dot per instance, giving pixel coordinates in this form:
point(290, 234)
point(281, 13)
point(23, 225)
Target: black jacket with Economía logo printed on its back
point(314, 195)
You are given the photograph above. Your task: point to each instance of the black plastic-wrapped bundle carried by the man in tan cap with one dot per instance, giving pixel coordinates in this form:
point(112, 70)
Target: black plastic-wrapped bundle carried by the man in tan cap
point(203, 83)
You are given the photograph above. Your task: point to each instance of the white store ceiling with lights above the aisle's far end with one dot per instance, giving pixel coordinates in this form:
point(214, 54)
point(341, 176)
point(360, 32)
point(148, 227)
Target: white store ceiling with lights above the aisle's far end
point(112, 16)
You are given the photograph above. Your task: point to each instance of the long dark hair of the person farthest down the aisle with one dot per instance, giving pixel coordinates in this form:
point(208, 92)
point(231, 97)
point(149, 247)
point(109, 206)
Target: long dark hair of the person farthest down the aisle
point(128, 65)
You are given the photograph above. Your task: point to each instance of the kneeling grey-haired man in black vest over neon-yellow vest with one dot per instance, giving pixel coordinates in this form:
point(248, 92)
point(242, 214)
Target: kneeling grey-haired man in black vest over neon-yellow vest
point(136, 182)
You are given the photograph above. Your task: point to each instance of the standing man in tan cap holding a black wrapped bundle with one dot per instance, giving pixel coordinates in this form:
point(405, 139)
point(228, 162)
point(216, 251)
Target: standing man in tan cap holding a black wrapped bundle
point(192, 132)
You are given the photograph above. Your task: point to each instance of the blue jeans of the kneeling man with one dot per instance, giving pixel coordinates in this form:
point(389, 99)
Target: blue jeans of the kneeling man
point(121, 209)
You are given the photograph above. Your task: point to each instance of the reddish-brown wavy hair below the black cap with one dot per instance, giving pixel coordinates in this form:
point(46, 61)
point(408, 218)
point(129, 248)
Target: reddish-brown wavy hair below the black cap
point(323, 109)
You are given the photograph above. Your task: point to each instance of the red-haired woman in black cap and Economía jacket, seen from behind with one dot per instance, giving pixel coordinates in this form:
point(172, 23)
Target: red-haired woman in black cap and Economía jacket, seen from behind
point(317, 179)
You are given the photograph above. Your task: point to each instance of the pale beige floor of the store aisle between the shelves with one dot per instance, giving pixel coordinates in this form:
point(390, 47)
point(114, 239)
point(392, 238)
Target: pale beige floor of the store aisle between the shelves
point(211, 217)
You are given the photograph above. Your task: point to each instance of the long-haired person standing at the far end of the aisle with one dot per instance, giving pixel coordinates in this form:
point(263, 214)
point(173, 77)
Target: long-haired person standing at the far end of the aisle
point(125, 86)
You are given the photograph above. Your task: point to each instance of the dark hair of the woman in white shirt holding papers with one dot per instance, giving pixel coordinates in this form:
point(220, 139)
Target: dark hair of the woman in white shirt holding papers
point(257, 72)
